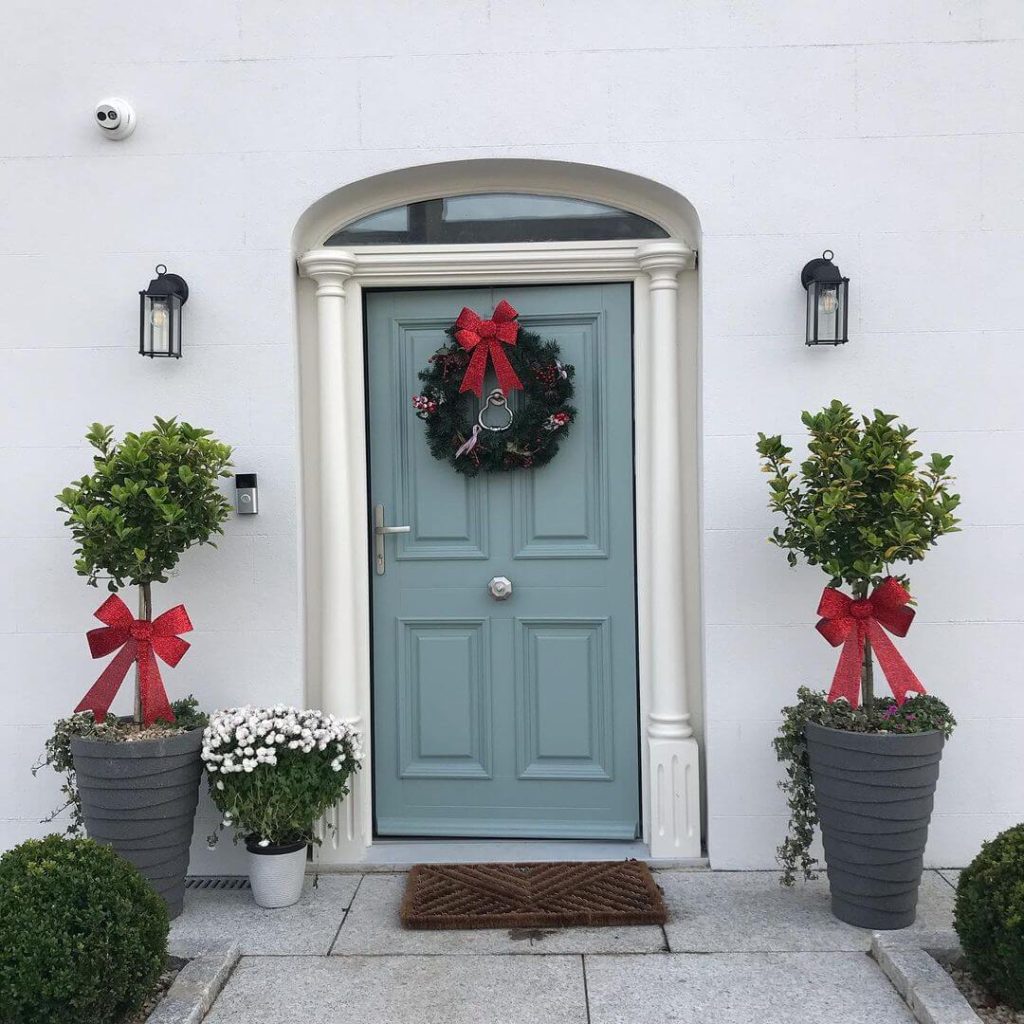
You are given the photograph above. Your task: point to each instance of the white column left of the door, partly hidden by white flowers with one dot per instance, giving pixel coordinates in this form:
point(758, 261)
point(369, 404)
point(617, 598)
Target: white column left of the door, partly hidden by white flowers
point(343, 526)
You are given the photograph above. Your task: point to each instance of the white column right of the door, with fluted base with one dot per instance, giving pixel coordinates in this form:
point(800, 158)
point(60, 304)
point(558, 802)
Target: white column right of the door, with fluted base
point(672, 749)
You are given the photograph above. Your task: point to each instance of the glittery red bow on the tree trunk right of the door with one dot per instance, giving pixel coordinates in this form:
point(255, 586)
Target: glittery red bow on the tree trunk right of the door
point(856, 623)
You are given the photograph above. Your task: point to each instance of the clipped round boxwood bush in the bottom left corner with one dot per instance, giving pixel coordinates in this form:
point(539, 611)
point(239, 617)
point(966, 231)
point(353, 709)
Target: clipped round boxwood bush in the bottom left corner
point(84, 936)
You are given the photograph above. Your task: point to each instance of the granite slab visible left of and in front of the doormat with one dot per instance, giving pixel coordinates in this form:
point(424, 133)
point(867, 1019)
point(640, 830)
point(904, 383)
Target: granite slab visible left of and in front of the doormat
point(373, 927)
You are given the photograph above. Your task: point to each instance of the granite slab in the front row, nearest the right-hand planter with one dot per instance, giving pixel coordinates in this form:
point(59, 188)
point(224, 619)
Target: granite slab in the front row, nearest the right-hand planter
point(742, 989)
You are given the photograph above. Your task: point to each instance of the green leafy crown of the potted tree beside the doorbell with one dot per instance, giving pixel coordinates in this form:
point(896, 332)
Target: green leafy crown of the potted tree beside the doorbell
point(150, 498)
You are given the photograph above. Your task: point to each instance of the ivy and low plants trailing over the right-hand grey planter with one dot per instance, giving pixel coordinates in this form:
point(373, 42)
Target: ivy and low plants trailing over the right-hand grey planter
point(921, 714)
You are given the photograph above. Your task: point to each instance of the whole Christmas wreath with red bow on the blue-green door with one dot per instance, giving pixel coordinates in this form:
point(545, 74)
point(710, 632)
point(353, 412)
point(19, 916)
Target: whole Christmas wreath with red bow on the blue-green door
point(475, 435)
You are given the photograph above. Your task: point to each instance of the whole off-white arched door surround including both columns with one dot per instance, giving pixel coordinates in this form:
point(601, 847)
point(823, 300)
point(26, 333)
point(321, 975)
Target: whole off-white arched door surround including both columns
point(336, 521)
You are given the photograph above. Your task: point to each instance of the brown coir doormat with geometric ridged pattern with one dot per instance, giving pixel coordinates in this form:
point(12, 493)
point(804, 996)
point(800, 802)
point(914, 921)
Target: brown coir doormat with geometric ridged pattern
point(561, 894)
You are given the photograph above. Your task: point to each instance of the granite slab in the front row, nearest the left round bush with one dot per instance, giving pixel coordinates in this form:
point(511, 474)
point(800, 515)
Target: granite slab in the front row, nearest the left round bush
point(405, 991)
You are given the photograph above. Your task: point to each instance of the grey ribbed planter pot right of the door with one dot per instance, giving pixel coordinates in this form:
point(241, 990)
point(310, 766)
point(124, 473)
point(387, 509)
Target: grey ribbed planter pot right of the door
point(875, 794)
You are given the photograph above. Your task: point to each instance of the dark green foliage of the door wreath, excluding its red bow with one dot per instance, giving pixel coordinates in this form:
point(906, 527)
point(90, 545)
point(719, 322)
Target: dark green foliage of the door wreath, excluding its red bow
point(529, 443)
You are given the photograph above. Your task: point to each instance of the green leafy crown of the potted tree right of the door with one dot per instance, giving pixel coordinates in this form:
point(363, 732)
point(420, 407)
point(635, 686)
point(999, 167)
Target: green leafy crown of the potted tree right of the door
point(864, 499)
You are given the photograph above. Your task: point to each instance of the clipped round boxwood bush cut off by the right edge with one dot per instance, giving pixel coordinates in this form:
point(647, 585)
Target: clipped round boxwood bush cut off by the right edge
point(990, 917)
